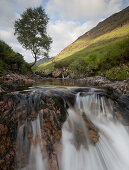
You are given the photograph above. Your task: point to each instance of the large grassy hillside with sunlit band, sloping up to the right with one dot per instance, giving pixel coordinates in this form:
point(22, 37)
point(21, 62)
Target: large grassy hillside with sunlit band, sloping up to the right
point(104, 50)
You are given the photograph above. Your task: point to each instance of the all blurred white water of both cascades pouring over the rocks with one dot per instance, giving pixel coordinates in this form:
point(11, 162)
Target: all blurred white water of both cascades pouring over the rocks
point(111, 151)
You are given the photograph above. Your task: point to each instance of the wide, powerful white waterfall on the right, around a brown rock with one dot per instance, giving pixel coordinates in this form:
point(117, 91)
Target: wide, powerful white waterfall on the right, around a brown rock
point(111, 152)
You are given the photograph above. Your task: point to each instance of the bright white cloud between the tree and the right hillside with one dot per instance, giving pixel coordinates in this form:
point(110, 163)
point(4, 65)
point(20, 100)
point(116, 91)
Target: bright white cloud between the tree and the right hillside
point(65, 32)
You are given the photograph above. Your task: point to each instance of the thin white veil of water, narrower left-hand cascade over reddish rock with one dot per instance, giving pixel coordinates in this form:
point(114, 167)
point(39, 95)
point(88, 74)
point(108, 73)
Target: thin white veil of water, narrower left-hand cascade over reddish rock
point(35, 155)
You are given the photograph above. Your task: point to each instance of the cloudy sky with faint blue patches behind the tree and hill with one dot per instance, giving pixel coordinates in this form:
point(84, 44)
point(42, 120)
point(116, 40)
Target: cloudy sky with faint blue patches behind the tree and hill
point(68, 19)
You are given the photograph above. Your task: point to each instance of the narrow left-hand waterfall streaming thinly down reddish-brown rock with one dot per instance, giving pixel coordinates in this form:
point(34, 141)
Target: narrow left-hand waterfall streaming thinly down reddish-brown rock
point(34, 158)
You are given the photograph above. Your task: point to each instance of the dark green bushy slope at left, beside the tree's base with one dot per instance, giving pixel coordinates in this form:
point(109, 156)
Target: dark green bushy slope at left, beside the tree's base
point(11, 61)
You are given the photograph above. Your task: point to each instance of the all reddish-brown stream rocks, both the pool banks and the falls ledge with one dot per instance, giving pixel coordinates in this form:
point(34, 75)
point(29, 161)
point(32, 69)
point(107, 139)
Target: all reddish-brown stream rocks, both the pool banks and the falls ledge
point(19, 109)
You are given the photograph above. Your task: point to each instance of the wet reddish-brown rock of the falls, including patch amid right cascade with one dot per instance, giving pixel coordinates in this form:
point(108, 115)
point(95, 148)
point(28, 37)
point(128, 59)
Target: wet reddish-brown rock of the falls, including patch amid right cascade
point(22, 109)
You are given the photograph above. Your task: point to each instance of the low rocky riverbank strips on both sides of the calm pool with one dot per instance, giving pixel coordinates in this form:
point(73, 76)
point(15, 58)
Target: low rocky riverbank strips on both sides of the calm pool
point(13, 81)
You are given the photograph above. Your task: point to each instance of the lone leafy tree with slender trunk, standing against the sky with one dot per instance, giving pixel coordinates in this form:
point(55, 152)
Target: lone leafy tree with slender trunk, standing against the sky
point(31, 32)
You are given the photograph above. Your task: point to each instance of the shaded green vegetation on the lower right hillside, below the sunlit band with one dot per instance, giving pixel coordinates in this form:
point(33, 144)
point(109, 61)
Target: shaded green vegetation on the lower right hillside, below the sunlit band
point(99, 60)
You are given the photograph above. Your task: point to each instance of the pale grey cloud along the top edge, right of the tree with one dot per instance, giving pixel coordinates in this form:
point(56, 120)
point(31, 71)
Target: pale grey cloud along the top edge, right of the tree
point(82, 9)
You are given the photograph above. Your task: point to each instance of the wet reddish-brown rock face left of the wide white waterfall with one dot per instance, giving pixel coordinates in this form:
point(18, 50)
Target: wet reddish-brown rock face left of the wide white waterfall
point(14, 109)
